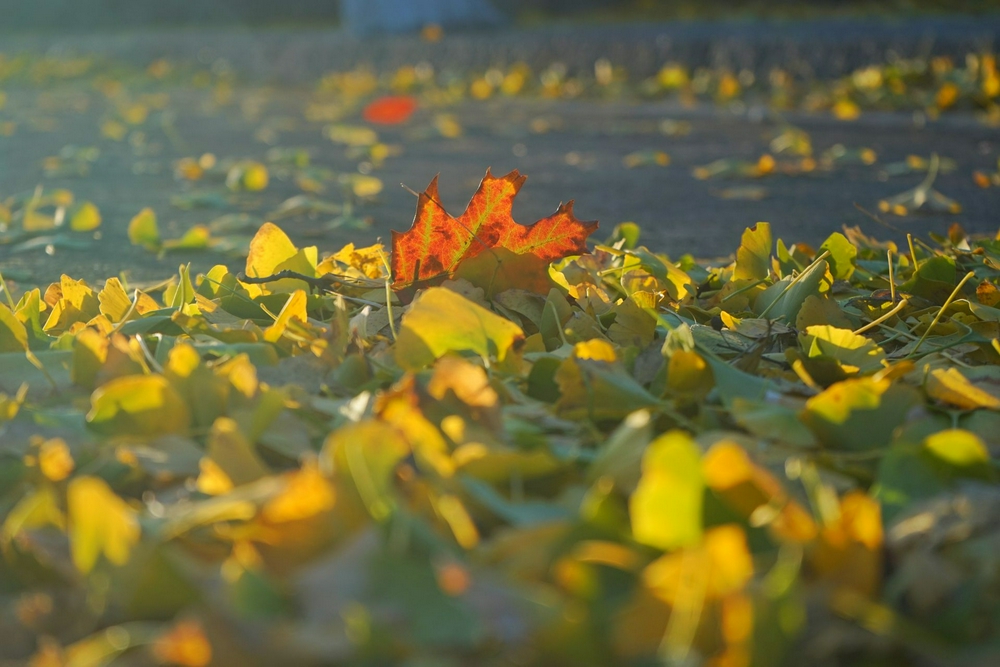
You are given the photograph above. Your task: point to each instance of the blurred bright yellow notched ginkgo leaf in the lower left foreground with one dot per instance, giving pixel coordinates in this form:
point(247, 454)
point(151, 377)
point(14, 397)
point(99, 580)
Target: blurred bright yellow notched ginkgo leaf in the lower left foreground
point(100, 523)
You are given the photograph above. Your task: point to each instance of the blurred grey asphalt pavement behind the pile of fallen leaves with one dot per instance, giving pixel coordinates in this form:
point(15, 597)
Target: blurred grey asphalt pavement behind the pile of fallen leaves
point(568, 150)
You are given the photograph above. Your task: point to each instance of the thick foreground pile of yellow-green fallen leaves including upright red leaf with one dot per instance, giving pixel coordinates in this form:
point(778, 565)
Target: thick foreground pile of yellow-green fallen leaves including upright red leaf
point(558, 457)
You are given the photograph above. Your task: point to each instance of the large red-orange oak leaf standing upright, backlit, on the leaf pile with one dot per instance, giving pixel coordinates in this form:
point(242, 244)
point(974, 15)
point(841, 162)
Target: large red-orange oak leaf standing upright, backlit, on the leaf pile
point(484, 244)
